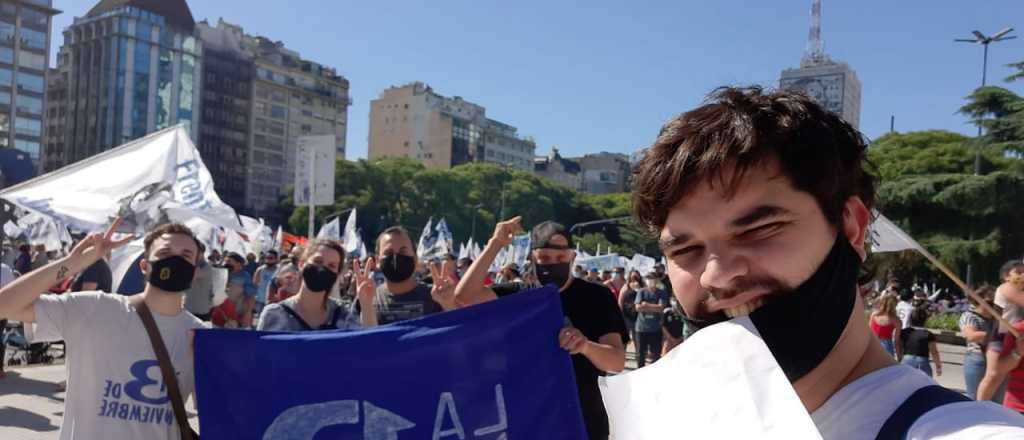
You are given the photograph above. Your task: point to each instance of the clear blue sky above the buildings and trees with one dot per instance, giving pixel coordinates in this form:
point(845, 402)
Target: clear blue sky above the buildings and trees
point(606, 75)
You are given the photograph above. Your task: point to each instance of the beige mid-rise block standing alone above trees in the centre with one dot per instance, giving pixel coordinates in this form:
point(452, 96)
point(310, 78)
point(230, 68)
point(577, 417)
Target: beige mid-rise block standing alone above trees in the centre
point(413, 121)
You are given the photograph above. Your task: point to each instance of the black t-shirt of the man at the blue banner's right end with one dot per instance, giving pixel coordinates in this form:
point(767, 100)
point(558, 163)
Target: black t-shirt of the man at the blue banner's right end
point(593, 311)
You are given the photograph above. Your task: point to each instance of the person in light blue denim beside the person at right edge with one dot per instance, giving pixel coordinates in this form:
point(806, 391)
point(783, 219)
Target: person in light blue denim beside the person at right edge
point(978, 329)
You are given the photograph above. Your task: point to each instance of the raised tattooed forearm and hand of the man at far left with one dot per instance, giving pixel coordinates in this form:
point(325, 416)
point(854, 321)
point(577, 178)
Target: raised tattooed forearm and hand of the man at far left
point(17, 298)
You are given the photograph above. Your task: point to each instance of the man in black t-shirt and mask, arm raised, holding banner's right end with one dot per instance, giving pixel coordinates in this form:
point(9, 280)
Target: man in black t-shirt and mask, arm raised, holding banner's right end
point(596, 333)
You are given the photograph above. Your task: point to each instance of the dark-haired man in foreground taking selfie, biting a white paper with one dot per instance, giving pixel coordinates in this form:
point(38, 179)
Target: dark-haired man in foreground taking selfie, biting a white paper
point(762, 202)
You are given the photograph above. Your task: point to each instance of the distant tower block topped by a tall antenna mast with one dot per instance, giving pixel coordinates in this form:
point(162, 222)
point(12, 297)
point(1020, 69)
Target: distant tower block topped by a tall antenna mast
point(833, 84)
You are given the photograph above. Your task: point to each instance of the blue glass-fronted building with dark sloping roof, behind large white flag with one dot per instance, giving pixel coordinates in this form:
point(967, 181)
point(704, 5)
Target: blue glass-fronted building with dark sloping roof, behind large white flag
point(127, 69)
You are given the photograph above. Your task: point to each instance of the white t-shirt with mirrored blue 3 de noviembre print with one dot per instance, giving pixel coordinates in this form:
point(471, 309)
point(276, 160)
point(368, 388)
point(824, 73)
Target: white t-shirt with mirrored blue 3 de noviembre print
point(115, 386)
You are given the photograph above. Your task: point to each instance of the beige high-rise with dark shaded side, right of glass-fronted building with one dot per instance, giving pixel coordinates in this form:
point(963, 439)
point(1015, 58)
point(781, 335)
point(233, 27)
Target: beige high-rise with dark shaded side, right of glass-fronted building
point(260, 98)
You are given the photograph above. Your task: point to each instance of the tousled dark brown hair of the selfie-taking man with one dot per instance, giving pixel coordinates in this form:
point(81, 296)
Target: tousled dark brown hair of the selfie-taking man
point(739, 129)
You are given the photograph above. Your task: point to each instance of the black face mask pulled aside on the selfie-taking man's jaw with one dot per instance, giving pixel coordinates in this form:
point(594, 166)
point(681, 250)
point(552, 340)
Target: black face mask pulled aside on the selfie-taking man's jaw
point(818, 312)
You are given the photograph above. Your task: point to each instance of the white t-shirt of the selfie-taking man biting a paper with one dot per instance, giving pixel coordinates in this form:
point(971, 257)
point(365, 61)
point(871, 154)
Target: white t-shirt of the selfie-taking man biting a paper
point(860, 410)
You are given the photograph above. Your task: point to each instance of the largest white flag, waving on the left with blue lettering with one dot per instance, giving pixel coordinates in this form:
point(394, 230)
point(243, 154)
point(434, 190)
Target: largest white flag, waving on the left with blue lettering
point(157, 179)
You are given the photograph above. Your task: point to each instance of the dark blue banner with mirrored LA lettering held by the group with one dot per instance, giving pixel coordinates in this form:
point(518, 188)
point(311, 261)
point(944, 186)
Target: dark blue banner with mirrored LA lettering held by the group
point(490, 372)
